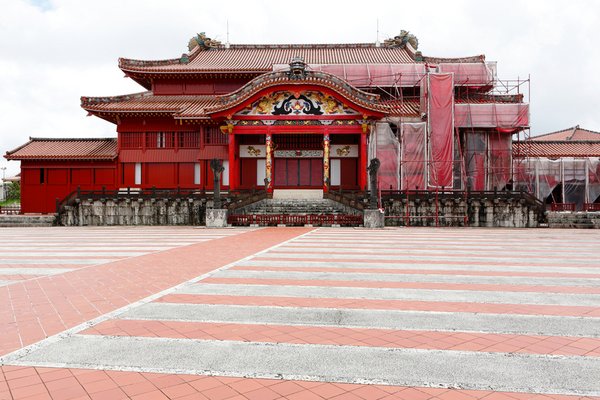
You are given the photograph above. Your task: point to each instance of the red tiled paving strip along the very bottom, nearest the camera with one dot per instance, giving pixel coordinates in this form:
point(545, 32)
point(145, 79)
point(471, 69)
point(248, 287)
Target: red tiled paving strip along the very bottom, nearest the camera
point(29, 383)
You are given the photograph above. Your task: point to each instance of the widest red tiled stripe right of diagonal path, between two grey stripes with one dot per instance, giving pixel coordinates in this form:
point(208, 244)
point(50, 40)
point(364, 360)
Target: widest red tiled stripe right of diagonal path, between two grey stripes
point(464, 341)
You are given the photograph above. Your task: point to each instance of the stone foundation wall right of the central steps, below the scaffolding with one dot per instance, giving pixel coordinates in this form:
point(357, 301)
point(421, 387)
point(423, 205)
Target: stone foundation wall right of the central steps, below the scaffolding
point(452, 212)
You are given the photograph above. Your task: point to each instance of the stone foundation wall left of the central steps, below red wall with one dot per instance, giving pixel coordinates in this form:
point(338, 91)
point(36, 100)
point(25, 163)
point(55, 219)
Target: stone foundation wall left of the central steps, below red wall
point(181, 211)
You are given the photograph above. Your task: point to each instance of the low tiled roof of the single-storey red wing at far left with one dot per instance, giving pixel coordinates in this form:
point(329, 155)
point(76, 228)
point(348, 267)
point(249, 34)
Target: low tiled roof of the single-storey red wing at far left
point(65, 149)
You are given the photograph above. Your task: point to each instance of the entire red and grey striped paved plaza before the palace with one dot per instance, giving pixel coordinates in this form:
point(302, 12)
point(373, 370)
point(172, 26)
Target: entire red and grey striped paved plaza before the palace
point(299, 313)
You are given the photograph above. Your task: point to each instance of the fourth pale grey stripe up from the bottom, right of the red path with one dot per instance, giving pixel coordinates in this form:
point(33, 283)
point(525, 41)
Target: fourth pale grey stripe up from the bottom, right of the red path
point(380, 277)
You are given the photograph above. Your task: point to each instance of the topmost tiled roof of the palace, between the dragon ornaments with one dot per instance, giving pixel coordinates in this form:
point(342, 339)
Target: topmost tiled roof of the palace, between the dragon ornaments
point(260, 58)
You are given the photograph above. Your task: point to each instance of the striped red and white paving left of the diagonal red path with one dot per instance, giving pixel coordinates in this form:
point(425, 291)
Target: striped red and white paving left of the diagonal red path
point(28, 253)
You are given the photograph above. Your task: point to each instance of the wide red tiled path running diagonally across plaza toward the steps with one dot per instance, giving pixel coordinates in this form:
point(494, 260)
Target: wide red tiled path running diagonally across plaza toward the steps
point(35, 309)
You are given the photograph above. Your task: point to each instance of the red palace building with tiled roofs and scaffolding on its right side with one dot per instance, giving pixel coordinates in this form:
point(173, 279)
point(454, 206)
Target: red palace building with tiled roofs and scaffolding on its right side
point(285, 117)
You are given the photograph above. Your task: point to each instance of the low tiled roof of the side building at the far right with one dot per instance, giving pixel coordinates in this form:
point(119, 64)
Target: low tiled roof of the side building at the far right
point(556, 148)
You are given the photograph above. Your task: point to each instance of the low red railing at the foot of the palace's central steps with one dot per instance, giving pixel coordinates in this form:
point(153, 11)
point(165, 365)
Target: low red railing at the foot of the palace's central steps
point(295, 219)
